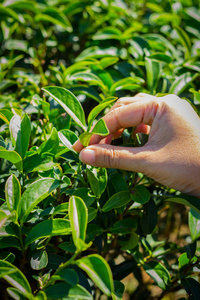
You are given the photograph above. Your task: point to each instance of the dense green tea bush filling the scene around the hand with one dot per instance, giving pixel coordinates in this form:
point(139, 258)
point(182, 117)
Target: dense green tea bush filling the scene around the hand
point(68, 230)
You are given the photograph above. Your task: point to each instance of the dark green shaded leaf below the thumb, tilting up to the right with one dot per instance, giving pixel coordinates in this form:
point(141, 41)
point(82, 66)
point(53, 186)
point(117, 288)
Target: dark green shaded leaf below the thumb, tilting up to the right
point(117, 200)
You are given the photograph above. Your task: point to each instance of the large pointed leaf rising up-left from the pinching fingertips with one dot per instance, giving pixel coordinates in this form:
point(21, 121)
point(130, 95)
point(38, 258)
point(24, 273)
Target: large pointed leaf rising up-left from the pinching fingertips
point(69, 103)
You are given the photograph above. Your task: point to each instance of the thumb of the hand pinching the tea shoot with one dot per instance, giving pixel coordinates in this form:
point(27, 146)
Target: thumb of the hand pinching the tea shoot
point(108, 156)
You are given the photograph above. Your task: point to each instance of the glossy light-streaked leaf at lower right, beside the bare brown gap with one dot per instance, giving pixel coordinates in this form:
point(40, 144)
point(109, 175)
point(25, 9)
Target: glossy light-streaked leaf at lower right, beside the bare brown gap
point(158, 273)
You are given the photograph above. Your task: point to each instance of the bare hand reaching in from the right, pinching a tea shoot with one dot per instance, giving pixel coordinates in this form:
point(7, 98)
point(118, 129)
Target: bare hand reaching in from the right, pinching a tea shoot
point(172, 154)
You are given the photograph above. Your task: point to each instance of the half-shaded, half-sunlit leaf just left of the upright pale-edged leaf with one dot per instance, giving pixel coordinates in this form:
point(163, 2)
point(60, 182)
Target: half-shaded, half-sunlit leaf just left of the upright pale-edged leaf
point(48, 228)
